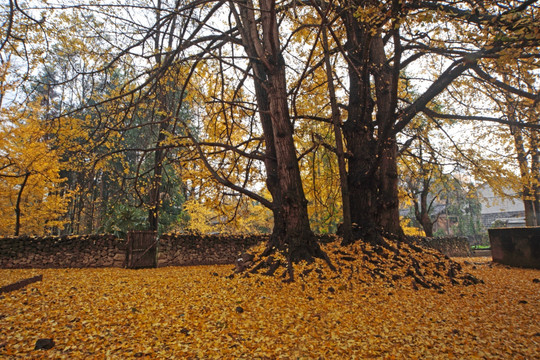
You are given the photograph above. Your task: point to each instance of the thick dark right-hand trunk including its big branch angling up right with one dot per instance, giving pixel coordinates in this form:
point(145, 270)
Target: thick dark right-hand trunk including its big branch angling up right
point(374, 120)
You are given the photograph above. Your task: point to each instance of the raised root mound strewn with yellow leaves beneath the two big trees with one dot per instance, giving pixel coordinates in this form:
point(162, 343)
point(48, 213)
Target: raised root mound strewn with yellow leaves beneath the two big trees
point(396, 263)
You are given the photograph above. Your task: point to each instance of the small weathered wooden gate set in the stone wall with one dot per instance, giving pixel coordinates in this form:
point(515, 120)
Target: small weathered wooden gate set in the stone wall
point(142, 249)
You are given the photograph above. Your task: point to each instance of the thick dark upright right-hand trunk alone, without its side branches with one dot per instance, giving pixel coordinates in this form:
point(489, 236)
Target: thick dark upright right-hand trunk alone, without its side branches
point(373, 177)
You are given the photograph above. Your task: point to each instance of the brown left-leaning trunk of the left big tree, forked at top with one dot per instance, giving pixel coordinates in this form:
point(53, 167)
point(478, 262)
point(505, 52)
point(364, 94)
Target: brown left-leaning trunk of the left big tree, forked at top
point(291, 222)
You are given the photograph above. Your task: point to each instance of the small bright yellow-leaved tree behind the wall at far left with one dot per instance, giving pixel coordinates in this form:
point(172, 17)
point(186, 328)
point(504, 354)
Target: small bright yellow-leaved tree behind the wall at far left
point(33, 200)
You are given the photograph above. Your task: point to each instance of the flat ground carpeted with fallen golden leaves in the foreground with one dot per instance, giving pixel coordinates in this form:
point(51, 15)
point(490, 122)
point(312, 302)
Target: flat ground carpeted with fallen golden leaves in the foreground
point(199, 313)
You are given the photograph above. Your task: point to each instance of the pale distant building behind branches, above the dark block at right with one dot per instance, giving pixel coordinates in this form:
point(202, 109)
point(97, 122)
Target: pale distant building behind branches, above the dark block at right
point(509, 210)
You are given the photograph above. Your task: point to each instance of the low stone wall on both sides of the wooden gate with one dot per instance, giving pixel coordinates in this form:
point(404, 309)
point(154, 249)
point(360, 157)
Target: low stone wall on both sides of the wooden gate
point(108, 251)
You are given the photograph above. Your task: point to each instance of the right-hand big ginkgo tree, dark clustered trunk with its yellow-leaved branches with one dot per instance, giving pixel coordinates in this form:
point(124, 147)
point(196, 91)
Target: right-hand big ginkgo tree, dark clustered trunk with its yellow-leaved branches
point(383, 39)
